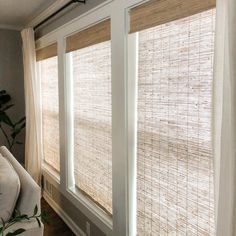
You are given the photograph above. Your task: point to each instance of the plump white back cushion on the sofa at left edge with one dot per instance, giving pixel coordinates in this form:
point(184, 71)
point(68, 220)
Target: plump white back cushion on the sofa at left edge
point(9, 189)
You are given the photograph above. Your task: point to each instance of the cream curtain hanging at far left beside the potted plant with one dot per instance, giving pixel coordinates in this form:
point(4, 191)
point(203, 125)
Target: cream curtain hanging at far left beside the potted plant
point(32, 101)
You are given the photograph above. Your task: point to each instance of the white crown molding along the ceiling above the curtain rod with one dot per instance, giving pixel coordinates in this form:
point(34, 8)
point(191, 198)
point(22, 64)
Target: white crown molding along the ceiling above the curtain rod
point(46, 13)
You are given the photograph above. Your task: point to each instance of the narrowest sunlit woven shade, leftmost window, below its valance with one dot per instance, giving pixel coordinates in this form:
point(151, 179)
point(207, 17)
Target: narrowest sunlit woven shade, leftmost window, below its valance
point(50, 111)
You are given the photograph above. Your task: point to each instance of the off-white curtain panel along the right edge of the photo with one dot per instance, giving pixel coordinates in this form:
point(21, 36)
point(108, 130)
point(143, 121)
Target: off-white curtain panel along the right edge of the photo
point(224, 117)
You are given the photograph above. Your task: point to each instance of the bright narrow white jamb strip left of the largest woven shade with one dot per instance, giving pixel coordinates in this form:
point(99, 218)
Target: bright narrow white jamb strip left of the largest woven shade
point(132, 128)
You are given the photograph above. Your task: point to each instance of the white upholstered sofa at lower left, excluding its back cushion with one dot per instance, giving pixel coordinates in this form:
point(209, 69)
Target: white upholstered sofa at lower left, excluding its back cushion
point(29, 197)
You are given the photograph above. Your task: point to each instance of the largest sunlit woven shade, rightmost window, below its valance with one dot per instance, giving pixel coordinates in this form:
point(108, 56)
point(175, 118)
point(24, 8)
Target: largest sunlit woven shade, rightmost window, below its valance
point(175, 163)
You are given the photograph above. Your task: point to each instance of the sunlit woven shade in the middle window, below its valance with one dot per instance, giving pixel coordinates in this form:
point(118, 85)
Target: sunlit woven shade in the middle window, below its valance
point(92, 123)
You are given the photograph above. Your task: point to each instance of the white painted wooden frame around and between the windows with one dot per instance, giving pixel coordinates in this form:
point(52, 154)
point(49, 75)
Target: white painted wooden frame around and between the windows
point(124, 97)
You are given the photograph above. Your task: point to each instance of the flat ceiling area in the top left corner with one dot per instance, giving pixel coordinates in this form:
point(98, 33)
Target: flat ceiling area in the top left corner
point(15, 14)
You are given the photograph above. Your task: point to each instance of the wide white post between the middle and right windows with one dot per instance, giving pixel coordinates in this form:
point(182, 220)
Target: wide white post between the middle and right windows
point(119, 119)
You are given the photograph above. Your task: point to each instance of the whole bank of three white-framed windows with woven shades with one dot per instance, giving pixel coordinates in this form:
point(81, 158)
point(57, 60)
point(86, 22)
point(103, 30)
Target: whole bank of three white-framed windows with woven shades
point(156, 87)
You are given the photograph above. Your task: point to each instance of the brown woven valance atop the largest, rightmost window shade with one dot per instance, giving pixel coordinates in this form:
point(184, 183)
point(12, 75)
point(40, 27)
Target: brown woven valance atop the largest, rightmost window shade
point(157, 12)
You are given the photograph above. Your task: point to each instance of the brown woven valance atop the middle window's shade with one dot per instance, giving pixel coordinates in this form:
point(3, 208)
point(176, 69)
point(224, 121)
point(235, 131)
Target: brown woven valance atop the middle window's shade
point(96, 34)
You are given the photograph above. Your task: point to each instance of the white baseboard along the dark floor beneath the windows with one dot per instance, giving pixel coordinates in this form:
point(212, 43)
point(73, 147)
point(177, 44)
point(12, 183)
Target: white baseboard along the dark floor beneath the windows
point(70, 223)
